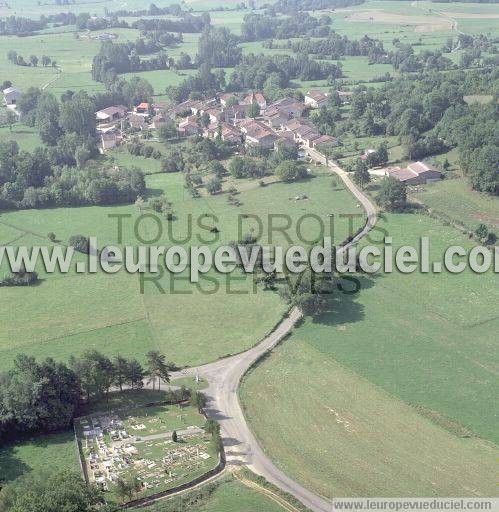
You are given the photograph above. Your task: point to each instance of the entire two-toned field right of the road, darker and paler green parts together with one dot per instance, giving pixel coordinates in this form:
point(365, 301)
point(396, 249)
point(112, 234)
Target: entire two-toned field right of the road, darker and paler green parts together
point(403, 341)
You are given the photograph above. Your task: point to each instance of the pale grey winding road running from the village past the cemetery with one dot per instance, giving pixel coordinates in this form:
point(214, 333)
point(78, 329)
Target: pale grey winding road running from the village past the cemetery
point(224, 376)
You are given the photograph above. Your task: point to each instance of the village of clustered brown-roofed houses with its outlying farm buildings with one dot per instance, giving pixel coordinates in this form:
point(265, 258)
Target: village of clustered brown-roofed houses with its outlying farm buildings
point(248, 121)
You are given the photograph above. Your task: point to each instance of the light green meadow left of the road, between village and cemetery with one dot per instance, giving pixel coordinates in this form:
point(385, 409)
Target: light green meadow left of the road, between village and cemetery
point(66, 314)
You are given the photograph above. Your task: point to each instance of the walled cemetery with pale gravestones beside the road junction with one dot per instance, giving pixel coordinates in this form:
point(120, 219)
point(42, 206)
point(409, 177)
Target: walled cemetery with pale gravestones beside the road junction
point(158, 447)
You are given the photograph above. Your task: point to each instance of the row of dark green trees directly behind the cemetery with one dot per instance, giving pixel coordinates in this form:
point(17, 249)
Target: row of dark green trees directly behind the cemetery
point(39, 397)
